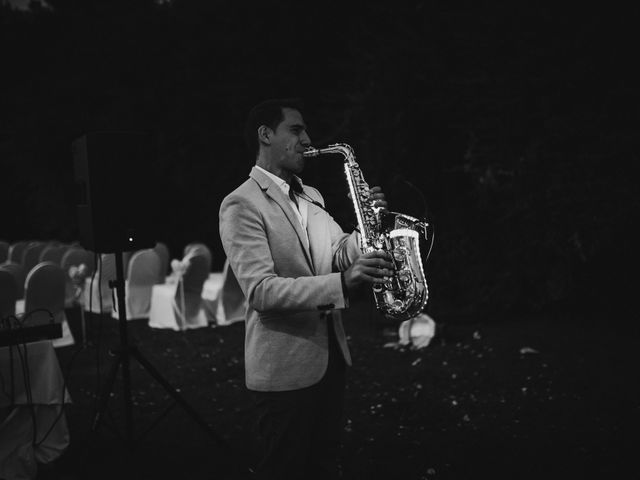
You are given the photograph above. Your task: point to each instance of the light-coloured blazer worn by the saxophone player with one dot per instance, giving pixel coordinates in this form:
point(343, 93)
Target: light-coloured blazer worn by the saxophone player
point(289, 286)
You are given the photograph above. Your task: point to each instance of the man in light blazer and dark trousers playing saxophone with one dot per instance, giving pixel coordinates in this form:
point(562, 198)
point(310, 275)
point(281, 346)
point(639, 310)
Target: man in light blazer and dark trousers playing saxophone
point(296, 268)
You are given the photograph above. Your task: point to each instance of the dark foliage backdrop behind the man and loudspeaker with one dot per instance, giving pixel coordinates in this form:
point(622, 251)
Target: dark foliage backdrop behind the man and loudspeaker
point(512, 128)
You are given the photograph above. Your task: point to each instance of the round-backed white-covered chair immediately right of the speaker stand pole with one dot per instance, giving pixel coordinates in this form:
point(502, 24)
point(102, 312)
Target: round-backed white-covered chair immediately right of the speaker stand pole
point(144, 268)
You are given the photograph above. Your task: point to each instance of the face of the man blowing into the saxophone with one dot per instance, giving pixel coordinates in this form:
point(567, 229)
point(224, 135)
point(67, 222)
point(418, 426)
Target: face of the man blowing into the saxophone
point(288, 142)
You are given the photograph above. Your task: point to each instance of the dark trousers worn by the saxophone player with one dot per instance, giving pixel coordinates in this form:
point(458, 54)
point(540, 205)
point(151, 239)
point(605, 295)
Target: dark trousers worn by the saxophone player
point(300, 430)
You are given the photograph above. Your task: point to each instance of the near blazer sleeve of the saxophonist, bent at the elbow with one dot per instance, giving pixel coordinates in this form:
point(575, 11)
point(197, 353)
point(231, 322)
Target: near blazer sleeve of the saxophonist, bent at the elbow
point(244, 239)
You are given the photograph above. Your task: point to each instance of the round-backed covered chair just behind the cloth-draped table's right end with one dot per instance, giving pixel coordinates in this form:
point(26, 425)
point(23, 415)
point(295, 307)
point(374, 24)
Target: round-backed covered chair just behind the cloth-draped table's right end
point(44, 300)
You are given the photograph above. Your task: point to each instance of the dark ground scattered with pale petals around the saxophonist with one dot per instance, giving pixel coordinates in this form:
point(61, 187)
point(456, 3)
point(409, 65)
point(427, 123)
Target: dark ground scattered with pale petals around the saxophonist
point(552, 395)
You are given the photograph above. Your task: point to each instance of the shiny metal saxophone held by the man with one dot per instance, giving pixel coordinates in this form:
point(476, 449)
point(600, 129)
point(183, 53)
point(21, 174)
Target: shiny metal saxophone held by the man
point(404, 295)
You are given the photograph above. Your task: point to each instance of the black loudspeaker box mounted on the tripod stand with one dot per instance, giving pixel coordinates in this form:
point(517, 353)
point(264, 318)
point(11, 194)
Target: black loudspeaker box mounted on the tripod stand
point(114, 175)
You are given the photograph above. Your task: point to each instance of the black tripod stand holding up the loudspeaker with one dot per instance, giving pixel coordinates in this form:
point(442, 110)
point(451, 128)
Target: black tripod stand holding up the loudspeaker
point(124, 353)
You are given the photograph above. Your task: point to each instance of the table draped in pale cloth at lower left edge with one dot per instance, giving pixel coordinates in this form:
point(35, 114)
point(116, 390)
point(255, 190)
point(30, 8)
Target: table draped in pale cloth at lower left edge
point(18, 455)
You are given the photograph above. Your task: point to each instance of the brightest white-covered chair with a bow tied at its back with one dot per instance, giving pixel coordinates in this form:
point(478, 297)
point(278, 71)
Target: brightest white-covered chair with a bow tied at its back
point(179, 306)
